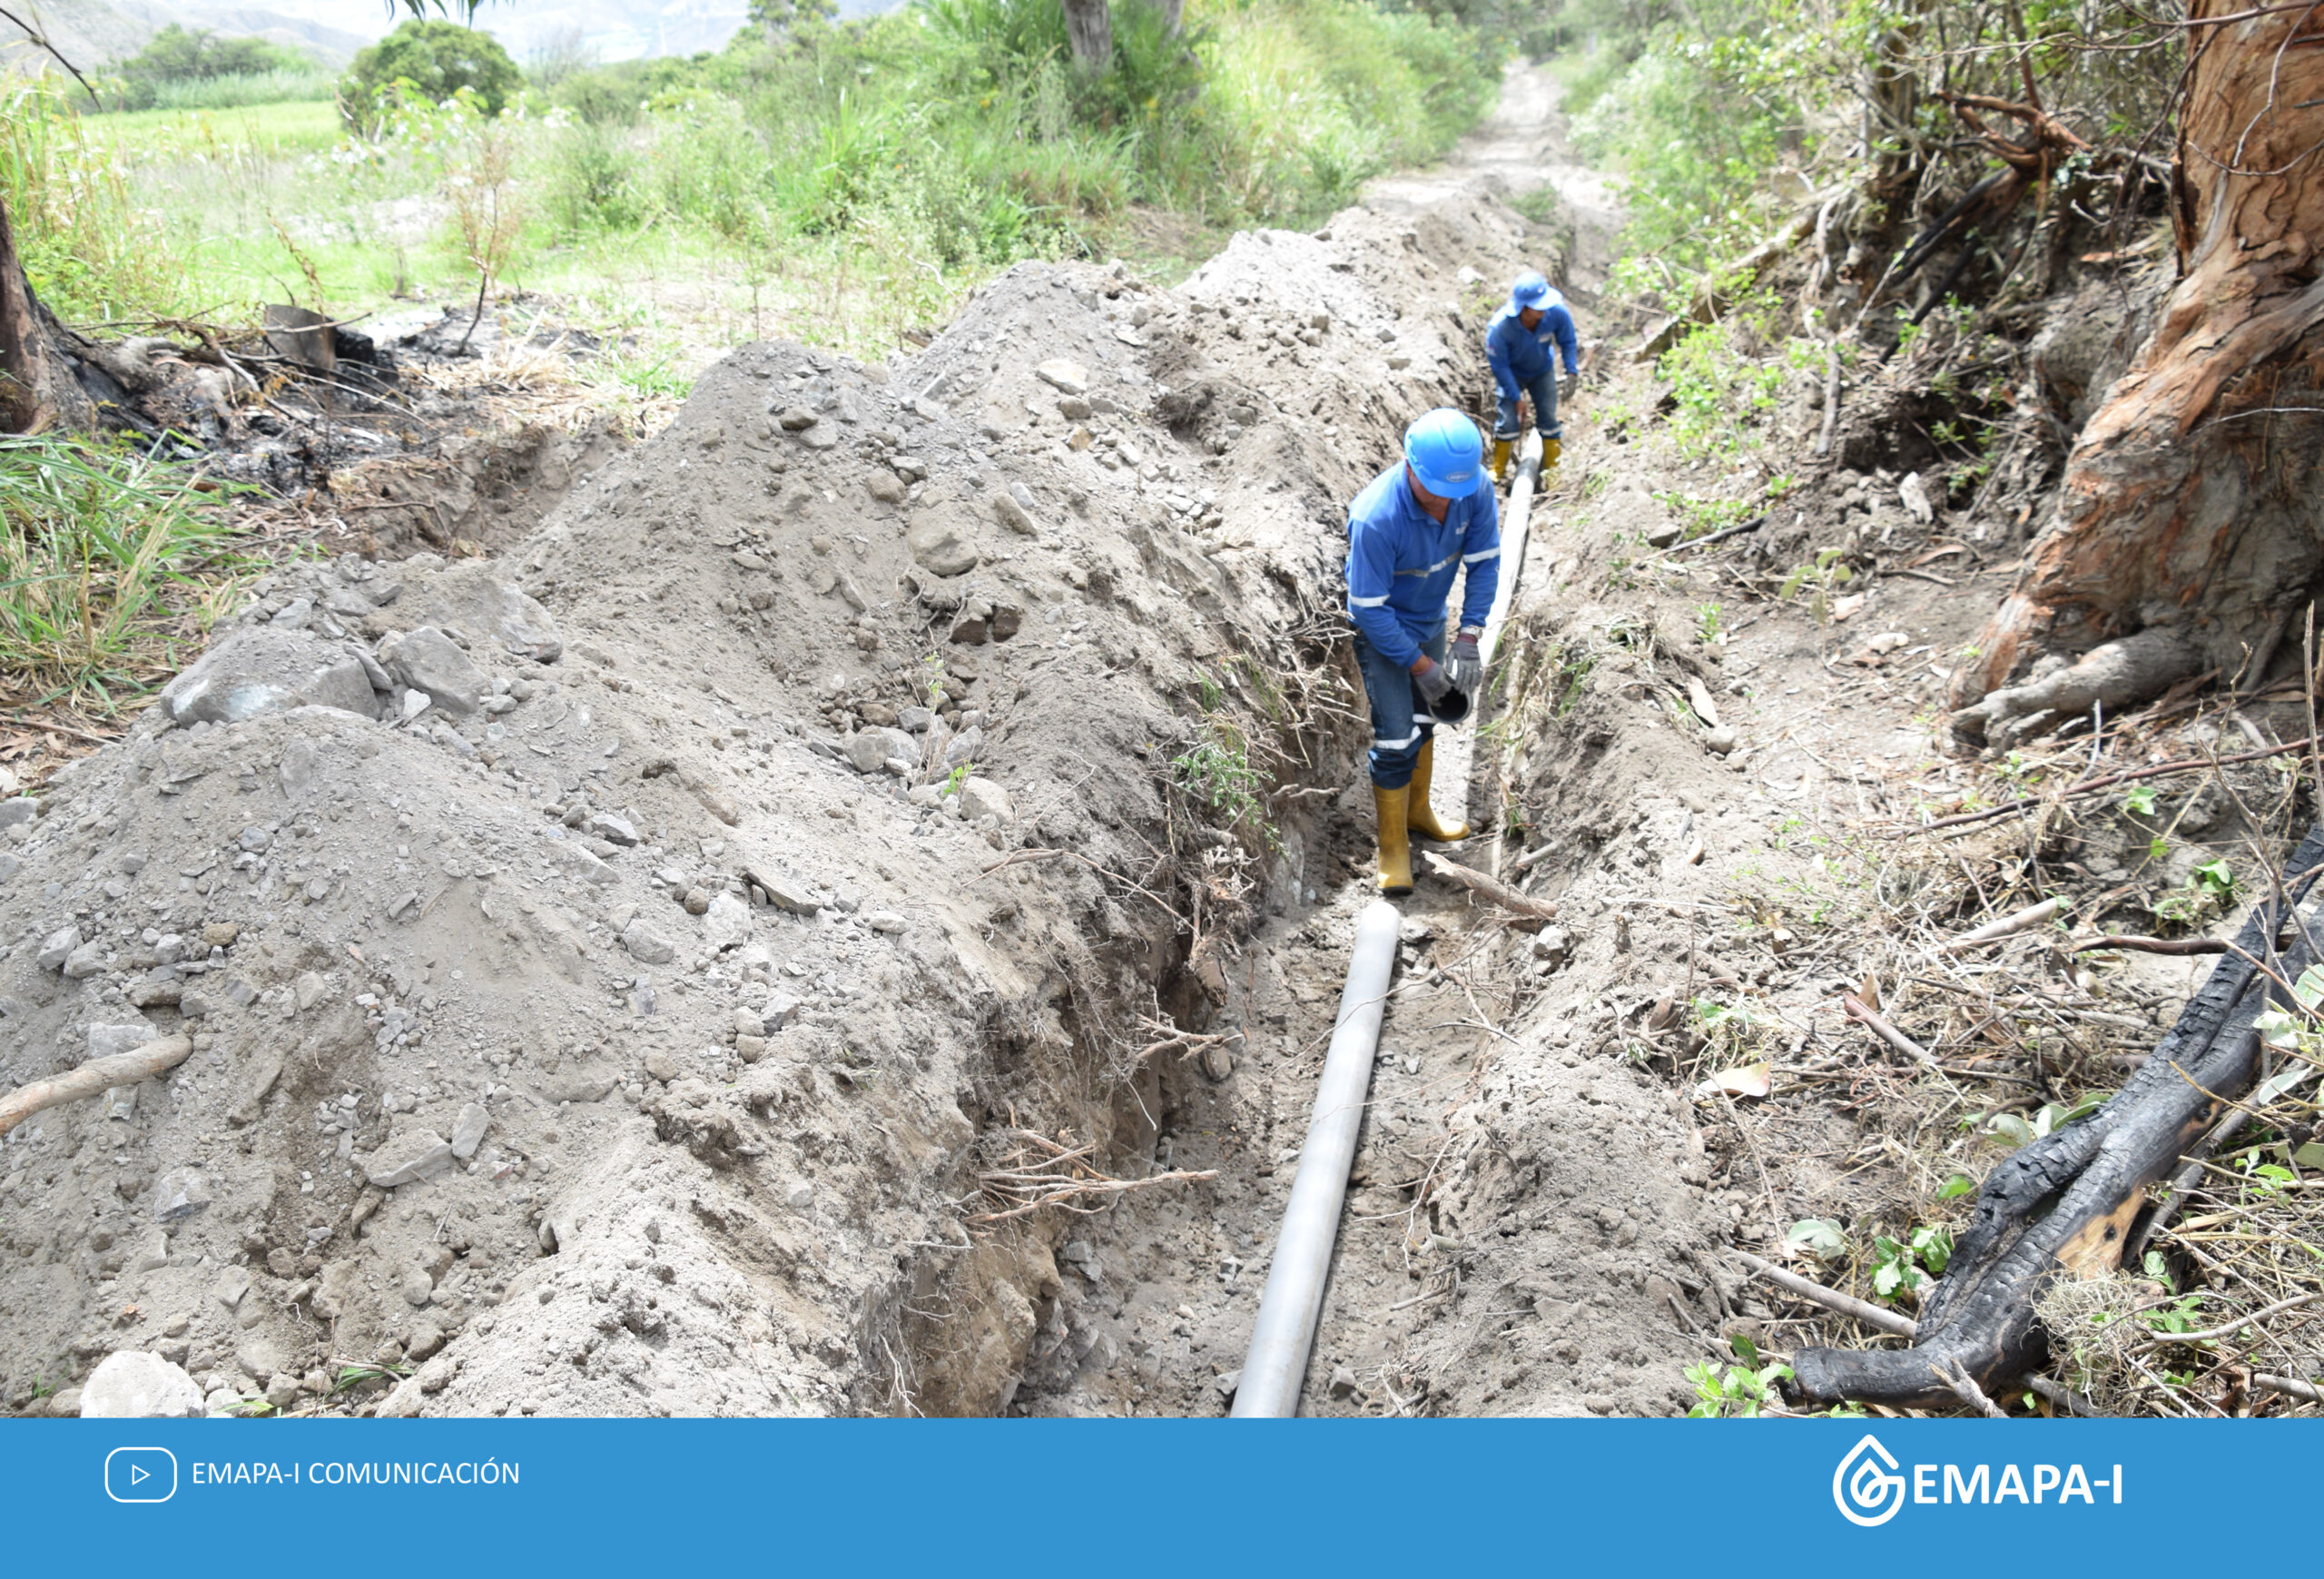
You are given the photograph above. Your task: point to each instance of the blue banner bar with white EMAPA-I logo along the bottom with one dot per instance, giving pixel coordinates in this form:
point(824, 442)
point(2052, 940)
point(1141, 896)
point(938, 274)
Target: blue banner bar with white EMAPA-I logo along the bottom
point(1119, 1496)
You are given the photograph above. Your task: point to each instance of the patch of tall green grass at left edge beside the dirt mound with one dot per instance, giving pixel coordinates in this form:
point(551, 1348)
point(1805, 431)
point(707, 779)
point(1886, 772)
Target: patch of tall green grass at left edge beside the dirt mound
point(110, 566)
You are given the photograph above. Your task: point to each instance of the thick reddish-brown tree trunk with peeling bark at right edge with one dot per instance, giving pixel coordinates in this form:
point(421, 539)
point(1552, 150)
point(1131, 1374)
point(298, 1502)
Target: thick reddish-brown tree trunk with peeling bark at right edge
point(2190, 506)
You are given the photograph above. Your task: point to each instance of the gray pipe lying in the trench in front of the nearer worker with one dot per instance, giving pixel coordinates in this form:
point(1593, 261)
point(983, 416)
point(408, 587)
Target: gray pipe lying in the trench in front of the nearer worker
point(1296, 1278)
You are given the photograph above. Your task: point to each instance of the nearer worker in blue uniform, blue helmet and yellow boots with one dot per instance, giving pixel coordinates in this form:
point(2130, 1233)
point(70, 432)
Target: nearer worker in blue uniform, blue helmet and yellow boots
point(1410, 534)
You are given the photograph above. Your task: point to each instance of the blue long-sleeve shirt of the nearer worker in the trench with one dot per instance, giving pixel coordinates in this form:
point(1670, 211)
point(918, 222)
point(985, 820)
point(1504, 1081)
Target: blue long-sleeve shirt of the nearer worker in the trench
point(1403, 564)
